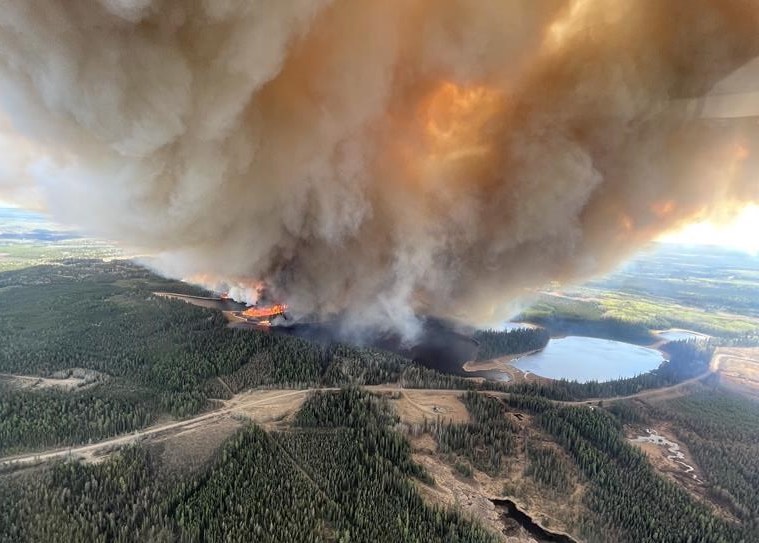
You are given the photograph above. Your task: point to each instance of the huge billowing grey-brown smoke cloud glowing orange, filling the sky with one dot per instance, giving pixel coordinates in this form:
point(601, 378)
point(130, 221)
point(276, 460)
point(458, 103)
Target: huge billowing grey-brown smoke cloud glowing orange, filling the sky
point(383, 157)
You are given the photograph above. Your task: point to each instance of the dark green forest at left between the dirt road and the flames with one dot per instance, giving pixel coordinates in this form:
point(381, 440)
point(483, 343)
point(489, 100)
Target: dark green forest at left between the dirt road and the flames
point(155, 355)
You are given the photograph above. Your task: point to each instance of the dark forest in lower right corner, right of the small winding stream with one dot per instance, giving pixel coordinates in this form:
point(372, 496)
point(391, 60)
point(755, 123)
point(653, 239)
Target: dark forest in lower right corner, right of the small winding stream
point(721, 430)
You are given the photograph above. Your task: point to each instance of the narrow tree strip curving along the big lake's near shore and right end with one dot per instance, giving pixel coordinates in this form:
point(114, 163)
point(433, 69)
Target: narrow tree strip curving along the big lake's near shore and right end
point(687, 359)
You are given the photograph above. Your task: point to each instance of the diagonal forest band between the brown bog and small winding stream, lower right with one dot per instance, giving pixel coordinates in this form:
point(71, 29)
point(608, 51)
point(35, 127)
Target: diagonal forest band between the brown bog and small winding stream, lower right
point(628, 500)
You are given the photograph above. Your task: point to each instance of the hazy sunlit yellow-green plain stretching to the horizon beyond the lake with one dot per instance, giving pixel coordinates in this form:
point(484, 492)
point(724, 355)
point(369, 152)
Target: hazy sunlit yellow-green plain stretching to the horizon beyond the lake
point(706, 289)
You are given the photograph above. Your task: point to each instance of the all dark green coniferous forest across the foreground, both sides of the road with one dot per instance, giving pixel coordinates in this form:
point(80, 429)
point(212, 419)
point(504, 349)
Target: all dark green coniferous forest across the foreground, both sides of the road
point(342, 468)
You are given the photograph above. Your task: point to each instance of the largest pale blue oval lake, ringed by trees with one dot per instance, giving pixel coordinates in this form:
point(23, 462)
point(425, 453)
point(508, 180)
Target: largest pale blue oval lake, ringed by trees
point(590, 359)
